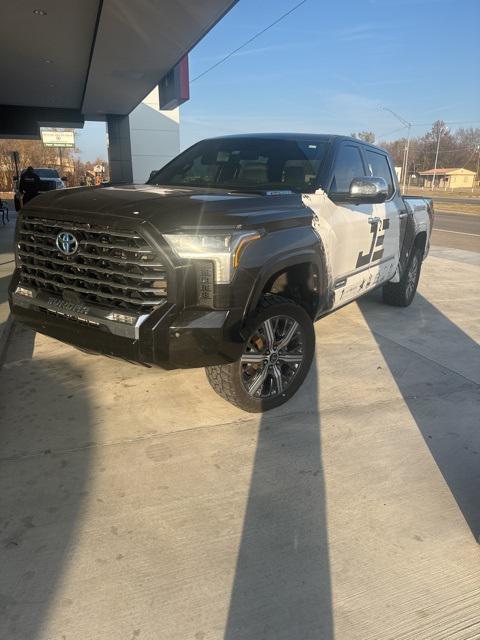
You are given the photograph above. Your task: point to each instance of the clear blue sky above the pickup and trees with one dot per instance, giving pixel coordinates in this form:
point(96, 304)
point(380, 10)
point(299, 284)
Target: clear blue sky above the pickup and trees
point(329, 66)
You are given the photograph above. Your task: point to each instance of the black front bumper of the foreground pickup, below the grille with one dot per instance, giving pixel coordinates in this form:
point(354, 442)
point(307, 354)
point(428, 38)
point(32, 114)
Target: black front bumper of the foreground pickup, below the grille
point(193, 337)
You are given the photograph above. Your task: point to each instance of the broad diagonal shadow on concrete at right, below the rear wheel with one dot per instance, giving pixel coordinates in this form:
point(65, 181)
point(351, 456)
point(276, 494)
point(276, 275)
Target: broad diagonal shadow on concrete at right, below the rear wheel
point(442, 398)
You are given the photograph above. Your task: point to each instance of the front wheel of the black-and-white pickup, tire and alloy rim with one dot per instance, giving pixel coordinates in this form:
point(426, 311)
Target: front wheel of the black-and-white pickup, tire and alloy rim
point(275, 361)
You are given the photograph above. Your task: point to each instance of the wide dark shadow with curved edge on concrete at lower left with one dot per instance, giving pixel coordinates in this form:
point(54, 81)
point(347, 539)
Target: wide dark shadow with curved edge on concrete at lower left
point(42, 489)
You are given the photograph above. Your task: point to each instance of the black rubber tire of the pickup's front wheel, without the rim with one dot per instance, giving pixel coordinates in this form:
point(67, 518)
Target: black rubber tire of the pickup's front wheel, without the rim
point(226, 379)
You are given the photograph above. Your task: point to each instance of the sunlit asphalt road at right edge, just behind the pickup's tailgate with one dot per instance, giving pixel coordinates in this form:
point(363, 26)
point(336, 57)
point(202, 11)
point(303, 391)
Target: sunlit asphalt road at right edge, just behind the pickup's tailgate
point(457, 231)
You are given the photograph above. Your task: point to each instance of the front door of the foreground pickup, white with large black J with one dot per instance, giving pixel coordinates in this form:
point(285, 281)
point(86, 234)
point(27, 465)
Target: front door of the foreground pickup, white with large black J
point(355, 228)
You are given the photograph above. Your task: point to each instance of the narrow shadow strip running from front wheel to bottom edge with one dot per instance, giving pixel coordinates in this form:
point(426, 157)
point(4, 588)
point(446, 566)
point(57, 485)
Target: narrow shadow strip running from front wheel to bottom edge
point(282, 588)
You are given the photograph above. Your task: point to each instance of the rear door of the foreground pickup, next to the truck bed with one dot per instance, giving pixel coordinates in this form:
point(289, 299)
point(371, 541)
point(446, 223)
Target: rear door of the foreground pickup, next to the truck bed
point(386, 255)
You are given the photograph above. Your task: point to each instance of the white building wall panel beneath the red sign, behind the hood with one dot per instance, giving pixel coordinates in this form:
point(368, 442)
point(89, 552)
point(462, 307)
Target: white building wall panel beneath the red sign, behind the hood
point(154, 137)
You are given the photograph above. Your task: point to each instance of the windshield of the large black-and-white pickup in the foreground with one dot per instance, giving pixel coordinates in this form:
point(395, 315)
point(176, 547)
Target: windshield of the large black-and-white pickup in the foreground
point(246, 164)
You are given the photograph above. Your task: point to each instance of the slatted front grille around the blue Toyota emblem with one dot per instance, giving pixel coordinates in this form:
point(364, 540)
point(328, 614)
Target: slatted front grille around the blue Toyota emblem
point(117, 269)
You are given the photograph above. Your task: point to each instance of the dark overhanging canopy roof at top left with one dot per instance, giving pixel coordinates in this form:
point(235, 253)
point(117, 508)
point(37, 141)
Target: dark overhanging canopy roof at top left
point(71, 61)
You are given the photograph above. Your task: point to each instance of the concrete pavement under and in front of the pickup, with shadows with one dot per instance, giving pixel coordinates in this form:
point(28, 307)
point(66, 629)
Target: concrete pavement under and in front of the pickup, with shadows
point(137, 504)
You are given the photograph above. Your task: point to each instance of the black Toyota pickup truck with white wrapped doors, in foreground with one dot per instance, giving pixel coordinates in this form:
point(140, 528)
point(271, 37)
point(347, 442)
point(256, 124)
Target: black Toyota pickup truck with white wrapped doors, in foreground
point(224, 259)
